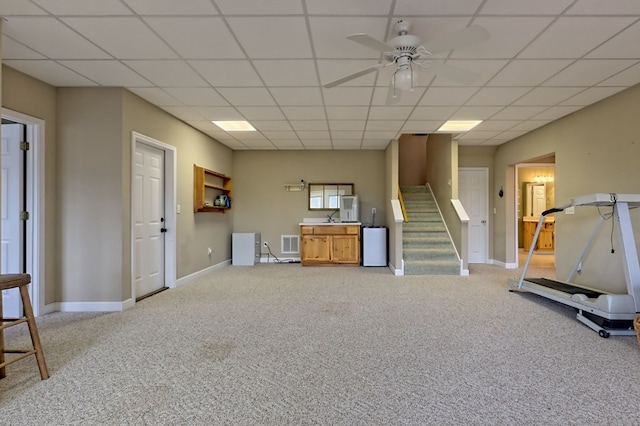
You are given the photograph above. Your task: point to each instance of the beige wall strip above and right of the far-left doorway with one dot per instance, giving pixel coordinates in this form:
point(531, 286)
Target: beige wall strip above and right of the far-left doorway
point(29, 96)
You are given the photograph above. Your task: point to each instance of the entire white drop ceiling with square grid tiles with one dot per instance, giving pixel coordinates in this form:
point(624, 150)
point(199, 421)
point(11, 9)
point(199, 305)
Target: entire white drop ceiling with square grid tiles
point(267, 62)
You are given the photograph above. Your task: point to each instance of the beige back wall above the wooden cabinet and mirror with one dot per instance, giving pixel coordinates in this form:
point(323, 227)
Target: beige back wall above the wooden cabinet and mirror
point(261, 204)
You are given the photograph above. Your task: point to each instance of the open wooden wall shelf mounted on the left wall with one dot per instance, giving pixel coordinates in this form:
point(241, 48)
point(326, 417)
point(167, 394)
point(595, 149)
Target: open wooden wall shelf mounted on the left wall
point(207, 187)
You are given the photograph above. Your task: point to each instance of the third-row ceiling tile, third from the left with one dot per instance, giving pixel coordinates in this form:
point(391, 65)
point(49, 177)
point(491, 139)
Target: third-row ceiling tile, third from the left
point(167, 73)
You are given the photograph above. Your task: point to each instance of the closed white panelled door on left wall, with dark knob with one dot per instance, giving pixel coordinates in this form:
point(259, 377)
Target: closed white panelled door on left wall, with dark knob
point(149, 219)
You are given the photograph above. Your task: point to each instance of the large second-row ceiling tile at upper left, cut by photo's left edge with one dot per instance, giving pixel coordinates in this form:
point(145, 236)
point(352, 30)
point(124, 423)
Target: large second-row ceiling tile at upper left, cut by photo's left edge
point(51, 38)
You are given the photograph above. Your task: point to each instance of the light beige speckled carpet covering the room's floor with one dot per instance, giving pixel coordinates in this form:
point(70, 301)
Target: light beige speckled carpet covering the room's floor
point(285, 344)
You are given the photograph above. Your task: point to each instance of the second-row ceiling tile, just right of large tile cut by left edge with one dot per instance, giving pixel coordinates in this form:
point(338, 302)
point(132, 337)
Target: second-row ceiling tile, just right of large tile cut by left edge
point(115, 36)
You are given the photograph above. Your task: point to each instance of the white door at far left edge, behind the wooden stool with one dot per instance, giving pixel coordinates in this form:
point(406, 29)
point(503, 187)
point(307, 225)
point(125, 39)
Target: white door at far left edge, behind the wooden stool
point(12, 204)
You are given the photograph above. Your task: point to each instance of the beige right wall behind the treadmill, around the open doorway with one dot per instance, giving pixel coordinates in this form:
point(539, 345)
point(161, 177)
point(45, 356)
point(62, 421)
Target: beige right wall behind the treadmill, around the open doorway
point(596, 150)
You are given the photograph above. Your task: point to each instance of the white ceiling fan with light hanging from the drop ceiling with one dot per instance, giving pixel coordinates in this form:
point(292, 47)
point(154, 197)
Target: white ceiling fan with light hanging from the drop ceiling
point(408, 53)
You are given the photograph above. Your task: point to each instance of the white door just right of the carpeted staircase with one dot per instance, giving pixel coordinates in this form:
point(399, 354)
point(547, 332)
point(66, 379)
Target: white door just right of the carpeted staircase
point(473, 194)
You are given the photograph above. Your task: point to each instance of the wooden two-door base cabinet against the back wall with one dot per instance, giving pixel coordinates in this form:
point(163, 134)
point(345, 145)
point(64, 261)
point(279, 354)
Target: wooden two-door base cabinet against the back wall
point(330, 244)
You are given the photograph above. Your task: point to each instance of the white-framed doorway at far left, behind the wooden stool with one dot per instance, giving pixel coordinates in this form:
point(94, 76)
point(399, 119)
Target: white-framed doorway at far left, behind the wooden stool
point(25, 195)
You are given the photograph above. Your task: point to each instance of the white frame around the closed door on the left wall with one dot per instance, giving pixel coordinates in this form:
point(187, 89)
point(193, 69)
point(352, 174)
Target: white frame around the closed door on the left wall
point(170, 178)
